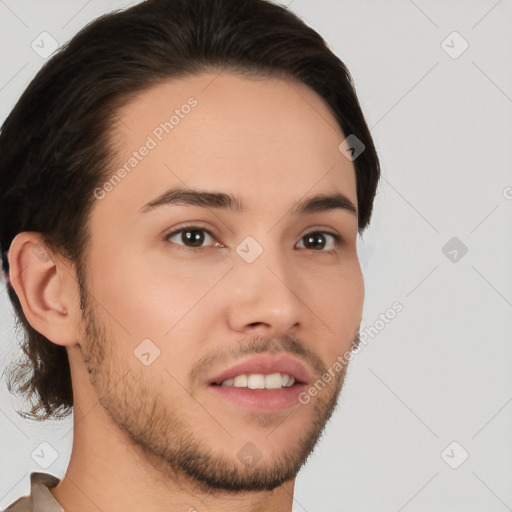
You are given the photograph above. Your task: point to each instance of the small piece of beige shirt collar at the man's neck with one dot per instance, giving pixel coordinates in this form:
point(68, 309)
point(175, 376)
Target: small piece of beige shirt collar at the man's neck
point(40, 498)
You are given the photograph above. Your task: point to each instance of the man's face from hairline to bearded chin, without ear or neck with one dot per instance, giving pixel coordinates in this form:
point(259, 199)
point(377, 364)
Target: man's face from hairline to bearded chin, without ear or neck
point(168, 310)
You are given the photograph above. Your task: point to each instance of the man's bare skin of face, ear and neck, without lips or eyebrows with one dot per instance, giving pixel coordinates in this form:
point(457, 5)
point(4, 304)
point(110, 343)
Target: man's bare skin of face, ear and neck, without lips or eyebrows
point(271, 143)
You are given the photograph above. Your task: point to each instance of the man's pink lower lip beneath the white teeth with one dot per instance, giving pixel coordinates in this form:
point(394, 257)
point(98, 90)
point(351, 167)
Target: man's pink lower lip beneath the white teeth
point(261, 400)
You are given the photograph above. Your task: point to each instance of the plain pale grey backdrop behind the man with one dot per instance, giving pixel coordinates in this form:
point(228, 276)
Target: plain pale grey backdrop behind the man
point(440, 371)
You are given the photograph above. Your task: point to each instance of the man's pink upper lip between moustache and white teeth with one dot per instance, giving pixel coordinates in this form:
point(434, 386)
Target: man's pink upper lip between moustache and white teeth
point(266, 364)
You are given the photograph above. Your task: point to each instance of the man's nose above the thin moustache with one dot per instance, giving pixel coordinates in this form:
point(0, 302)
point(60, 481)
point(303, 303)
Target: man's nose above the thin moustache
point(266, 297)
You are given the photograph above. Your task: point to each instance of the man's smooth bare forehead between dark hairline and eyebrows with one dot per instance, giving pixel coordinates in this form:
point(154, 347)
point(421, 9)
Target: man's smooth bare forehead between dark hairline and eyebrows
point(243, 135)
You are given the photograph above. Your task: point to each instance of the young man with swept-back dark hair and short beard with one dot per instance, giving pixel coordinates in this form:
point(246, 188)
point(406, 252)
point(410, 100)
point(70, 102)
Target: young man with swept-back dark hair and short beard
point(184, 186)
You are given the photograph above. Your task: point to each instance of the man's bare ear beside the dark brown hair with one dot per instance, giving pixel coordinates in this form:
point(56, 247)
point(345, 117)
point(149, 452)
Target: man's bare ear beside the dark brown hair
point(46, 285)
